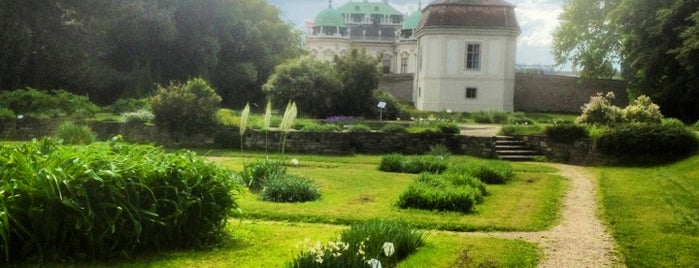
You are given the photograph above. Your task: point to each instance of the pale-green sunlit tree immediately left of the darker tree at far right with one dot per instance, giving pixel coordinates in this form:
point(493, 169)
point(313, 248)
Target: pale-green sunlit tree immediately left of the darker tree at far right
point(586, 38)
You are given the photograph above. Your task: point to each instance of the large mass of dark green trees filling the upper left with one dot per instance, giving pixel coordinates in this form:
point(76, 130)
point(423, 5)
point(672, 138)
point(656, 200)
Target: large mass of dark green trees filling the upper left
point(111, 49)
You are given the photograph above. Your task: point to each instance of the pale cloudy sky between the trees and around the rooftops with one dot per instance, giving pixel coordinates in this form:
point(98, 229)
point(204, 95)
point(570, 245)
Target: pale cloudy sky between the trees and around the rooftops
point(537, 19)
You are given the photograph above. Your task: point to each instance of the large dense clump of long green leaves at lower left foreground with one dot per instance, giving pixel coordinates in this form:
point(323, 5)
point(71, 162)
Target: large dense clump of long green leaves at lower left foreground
point(108, 200)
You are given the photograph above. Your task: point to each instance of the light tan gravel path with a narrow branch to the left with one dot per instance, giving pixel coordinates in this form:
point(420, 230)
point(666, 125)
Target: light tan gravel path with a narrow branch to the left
point(580, 239)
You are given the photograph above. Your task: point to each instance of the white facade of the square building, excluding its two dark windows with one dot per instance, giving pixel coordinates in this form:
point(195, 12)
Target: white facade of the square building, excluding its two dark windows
point(441, 81)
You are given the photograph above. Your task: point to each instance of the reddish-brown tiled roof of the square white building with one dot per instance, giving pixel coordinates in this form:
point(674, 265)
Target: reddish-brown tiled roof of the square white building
point(470, 13)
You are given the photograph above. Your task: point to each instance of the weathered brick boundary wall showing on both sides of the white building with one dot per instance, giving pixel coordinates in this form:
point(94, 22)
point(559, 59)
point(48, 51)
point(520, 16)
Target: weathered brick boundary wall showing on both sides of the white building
point(533, 92)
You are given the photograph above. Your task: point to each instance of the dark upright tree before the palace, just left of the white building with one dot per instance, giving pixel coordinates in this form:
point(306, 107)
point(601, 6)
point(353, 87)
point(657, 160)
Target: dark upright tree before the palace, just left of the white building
point(360, 76)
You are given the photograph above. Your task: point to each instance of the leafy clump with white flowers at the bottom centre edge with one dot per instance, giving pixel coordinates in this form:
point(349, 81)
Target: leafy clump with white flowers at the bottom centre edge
point(362, 242)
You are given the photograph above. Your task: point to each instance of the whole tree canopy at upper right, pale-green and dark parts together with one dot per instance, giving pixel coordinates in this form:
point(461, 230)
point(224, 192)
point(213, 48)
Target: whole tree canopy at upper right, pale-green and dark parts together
point(655, 42)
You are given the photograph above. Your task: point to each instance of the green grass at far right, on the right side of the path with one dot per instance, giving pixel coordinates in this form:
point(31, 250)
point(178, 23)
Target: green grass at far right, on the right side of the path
point(653, 212)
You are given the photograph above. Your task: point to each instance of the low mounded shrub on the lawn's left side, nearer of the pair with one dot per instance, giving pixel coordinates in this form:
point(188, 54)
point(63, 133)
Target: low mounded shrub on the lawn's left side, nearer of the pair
point(290, 189)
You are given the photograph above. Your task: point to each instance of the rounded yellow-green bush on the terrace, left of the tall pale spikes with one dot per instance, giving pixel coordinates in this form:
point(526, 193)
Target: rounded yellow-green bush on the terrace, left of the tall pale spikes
point(185, 107)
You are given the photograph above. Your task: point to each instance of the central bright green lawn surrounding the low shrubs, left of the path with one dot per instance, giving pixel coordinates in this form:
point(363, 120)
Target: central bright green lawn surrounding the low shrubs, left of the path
point(353, 189)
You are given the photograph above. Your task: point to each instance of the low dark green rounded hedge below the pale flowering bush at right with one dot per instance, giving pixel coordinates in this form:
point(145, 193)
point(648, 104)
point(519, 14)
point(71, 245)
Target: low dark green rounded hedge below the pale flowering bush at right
point(648, 142)
